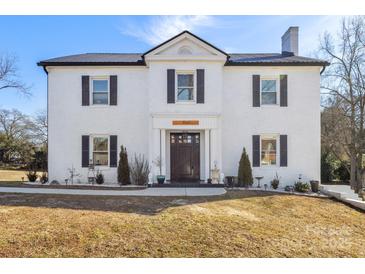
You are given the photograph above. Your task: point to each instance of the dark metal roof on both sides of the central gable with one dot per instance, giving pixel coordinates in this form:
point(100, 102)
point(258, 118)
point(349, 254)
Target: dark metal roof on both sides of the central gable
point(135, 59)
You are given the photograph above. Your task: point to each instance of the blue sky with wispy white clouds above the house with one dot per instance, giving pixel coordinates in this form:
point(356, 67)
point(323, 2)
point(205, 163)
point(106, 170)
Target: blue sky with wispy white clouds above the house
point(35, 38)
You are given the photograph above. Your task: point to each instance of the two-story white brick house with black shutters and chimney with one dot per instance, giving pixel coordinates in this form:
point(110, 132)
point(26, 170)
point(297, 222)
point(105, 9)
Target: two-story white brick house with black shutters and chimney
point(190, 104)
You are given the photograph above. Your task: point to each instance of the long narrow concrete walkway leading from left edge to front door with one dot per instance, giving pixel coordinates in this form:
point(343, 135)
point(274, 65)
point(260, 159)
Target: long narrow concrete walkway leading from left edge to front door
point(142, 192)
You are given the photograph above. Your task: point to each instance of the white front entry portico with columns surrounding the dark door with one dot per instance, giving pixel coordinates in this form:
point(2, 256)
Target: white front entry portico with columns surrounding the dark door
point(188, 146)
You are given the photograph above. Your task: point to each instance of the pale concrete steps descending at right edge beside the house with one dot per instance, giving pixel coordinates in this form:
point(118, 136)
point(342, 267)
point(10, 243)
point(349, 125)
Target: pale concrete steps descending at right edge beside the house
point(343, 193)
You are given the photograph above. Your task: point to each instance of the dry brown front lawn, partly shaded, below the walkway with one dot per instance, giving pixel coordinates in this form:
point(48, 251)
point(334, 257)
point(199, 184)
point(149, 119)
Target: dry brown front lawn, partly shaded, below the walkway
point(238, 224)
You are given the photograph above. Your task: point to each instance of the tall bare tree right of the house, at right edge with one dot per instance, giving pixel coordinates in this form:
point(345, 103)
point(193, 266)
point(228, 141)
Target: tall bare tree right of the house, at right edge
point(344, 83)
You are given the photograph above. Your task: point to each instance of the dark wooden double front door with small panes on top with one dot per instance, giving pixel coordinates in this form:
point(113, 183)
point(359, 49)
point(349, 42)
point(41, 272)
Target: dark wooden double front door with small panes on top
point(185, 156)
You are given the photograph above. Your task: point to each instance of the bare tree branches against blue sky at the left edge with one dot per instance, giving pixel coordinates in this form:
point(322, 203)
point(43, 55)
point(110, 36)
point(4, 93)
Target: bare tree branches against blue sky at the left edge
point(9, 78)
